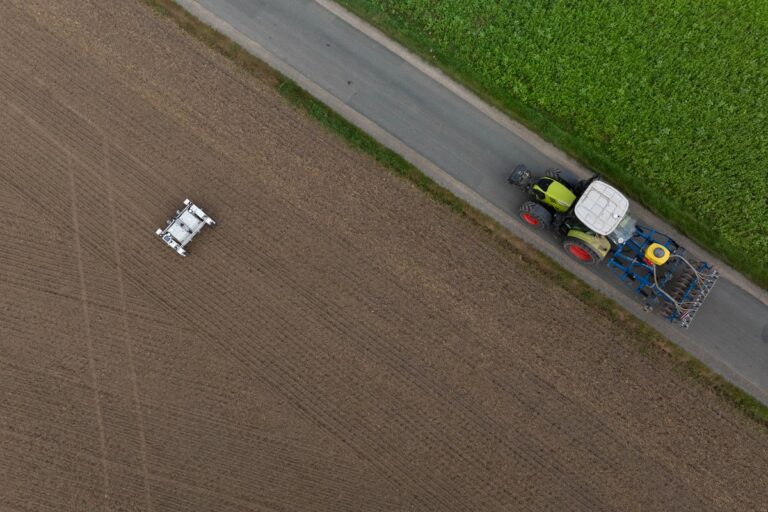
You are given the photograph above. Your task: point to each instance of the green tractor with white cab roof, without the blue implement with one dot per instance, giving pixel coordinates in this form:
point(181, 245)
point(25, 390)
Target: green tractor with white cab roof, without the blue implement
point(590, 215)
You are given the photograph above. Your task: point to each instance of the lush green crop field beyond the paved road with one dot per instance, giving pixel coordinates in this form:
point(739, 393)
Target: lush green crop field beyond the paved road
point(667, 98)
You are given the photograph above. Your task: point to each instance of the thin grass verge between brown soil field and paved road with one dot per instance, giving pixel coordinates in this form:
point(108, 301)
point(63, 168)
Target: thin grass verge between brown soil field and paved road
point(649, 341)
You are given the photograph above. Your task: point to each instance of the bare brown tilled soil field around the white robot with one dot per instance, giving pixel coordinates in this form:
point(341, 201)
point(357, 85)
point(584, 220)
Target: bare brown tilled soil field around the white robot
point(338, 342)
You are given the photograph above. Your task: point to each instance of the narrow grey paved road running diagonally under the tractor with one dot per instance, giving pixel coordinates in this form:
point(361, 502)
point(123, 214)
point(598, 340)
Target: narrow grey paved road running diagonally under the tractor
point(467, 147)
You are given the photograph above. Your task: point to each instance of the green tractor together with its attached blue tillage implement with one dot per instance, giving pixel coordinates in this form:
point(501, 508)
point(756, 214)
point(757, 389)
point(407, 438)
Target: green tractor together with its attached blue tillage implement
point(593, 220)
